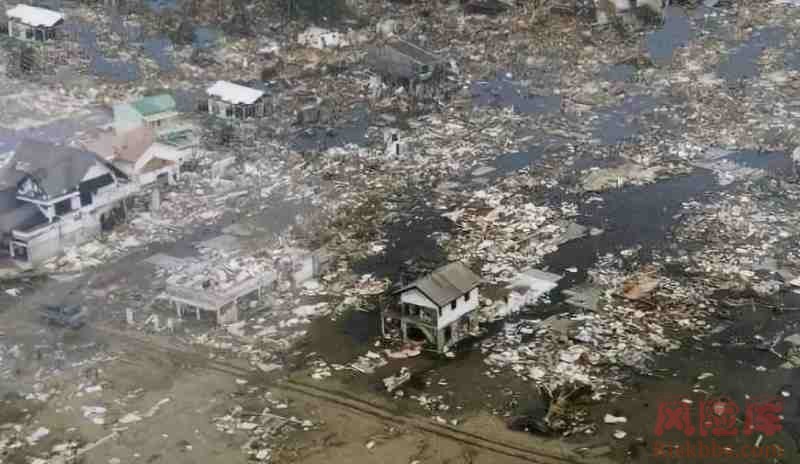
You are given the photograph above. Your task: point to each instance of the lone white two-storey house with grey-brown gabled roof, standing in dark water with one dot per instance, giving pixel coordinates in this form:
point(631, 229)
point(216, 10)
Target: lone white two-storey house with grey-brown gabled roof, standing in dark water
point(440, 307)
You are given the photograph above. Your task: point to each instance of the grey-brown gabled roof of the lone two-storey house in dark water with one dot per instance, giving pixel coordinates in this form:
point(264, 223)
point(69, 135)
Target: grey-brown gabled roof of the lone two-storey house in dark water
point(445, 284)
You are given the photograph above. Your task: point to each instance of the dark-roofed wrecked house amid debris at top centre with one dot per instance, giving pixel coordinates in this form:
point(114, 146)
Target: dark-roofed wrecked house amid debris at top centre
point(403, 64)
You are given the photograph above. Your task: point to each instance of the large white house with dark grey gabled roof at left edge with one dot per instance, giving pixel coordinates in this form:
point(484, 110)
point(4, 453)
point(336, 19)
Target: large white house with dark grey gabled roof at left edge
point(54, 196)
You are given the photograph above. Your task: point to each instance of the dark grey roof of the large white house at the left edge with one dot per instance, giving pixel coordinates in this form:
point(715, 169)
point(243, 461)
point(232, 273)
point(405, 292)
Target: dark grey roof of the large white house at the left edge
point(57, 169)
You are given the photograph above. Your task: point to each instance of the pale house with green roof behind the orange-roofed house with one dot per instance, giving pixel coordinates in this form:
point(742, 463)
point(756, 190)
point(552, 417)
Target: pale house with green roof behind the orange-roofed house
point(157, 112)
